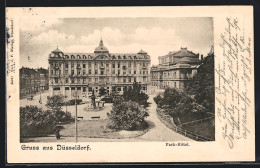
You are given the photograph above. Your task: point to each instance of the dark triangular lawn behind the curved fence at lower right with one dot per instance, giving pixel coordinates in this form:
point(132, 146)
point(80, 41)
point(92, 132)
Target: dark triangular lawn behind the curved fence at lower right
point(206, 128)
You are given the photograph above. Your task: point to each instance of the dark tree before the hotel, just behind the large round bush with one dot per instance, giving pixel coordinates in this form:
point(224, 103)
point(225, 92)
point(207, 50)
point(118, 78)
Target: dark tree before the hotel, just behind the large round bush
point(136, 95)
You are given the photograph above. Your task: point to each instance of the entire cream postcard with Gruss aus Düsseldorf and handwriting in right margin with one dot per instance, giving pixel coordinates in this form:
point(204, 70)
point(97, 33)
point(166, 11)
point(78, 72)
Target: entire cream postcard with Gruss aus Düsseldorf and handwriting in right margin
point(130, 84)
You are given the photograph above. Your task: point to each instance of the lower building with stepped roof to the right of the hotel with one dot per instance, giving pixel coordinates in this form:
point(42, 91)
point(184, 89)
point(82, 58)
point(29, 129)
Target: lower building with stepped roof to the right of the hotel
point(175, 69)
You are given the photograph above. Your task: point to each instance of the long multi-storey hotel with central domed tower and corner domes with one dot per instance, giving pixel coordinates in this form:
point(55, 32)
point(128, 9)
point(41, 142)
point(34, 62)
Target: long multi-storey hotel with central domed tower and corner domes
point(82, 73)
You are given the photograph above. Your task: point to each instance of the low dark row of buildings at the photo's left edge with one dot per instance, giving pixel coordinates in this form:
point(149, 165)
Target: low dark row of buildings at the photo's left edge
point(33, 80)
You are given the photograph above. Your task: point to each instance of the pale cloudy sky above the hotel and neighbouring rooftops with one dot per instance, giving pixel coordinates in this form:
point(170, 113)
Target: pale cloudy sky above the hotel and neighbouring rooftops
point(156, 36)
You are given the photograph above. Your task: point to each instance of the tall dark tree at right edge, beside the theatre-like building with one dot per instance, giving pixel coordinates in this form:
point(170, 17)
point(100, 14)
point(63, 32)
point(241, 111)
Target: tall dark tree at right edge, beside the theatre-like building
point(202, 86)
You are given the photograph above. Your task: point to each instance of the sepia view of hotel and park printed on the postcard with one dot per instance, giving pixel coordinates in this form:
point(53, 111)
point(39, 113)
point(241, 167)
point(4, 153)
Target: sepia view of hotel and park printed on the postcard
point(116, 79)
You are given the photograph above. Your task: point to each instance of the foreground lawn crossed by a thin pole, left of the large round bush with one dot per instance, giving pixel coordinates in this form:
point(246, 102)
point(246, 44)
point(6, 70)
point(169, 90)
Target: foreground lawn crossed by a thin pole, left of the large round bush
point(97, 129)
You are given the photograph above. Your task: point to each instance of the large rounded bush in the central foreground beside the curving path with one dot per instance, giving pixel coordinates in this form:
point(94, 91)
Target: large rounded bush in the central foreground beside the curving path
point(127, 115)
